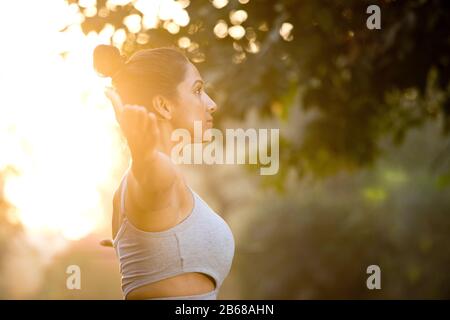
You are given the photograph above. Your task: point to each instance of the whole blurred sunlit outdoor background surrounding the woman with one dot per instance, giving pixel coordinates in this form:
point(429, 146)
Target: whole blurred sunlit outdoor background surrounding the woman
point(364, 119)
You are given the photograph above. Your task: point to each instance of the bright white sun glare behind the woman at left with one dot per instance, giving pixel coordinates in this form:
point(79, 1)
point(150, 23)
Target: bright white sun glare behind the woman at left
point(57, 130)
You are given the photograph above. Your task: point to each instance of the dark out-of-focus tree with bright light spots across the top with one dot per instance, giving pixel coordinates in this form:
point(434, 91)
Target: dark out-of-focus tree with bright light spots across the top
point(317, 55)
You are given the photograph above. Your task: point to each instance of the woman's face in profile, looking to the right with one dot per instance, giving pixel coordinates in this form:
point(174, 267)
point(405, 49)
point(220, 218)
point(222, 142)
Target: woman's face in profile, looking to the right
point(194, 104)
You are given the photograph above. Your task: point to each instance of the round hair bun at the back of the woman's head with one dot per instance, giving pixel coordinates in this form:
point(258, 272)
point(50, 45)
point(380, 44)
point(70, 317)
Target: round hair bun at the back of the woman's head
point(107, 60)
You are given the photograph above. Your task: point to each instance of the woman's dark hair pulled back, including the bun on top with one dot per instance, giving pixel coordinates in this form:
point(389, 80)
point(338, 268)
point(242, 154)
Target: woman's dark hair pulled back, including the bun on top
point(148, 72)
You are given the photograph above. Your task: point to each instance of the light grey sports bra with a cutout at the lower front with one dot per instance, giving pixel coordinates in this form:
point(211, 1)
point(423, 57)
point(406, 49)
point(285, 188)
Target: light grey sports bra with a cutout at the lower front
point(202, 242)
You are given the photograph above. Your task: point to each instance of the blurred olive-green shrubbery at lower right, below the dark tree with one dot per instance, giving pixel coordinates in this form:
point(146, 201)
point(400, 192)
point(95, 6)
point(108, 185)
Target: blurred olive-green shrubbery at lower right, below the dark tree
point(318, 240)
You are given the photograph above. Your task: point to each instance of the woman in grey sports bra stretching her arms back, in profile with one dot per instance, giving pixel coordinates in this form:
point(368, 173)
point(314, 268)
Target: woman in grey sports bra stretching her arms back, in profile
point(170, 244)
